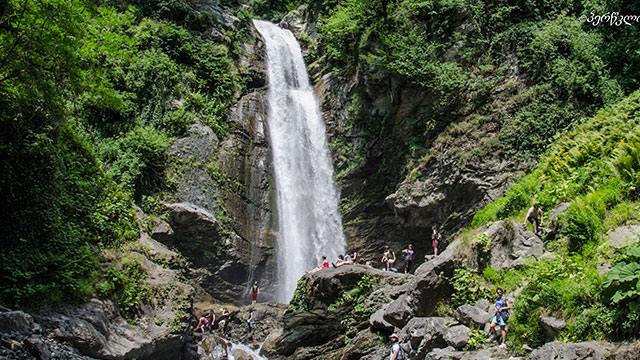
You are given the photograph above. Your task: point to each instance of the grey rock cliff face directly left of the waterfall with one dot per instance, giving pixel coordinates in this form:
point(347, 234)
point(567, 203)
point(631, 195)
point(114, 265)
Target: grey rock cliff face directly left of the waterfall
point(221, 215)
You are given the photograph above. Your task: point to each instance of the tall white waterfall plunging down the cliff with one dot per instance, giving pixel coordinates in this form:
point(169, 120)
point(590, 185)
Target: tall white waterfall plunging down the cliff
point(309, 225)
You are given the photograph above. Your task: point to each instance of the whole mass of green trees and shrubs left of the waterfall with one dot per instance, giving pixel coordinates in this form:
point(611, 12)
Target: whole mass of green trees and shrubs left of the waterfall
point(90, 106)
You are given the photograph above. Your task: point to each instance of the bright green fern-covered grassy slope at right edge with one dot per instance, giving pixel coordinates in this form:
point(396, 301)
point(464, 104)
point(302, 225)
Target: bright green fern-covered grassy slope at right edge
point(596, 168)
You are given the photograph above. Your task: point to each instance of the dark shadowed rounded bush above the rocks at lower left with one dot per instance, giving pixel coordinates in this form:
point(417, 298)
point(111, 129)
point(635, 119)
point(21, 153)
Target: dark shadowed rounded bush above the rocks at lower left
point(63, 209)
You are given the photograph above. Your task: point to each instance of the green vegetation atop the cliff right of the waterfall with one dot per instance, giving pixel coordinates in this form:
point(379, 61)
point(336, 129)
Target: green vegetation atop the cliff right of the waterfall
point(445, 47)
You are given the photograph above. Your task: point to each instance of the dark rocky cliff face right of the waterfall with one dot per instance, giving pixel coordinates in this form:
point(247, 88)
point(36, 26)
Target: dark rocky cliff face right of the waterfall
point(401, 167)
